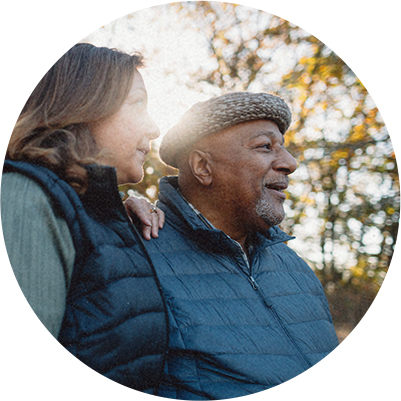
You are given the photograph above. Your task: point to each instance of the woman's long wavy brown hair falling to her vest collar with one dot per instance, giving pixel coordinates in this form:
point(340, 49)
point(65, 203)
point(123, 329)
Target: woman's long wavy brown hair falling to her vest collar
point(85, 86)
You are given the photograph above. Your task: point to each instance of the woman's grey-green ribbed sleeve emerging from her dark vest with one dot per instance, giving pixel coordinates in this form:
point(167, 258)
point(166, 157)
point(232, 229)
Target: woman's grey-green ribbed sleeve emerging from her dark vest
point(39, 246)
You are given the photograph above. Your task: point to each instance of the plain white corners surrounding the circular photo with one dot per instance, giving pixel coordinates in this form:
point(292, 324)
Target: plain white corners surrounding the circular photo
point(365, 34)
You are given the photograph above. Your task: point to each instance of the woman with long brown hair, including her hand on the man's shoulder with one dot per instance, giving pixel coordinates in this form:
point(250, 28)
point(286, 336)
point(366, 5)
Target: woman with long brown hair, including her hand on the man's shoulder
point(77, 257)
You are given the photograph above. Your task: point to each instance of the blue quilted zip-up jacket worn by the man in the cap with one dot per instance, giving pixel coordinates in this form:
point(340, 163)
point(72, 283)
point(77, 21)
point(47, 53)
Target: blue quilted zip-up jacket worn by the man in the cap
point(236, 326)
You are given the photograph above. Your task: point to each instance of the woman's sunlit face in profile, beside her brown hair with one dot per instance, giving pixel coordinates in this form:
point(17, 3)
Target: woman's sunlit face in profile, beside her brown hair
point(125, 136)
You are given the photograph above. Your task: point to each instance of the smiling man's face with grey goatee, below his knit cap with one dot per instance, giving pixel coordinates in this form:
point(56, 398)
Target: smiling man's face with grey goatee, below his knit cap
point(250, 168)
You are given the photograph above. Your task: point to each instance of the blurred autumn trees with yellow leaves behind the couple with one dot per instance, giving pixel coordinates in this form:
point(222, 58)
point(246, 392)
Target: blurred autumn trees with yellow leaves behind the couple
point(343, 200)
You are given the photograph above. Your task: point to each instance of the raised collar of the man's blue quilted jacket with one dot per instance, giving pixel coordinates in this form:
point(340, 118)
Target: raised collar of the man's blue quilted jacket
point(186, 220)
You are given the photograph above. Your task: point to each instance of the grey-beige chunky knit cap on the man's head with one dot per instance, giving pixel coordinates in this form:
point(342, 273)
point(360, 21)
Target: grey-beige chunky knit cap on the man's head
point(215, 114)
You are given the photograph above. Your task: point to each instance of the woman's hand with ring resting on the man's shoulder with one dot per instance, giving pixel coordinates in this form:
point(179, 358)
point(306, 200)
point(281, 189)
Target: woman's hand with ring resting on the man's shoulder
point(151, 217)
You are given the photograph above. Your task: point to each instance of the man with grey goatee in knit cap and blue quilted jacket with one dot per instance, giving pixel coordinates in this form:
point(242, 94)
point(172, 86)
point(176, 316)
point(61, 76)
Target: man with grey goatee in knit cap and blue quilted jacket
point(245, 312)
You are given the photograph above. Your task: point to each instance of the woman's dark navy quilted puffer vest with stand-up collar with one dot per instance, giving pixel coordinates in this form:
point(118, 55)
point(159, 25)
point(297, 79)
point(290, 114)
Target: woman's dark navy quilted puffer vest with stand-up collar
point(115, 319)
